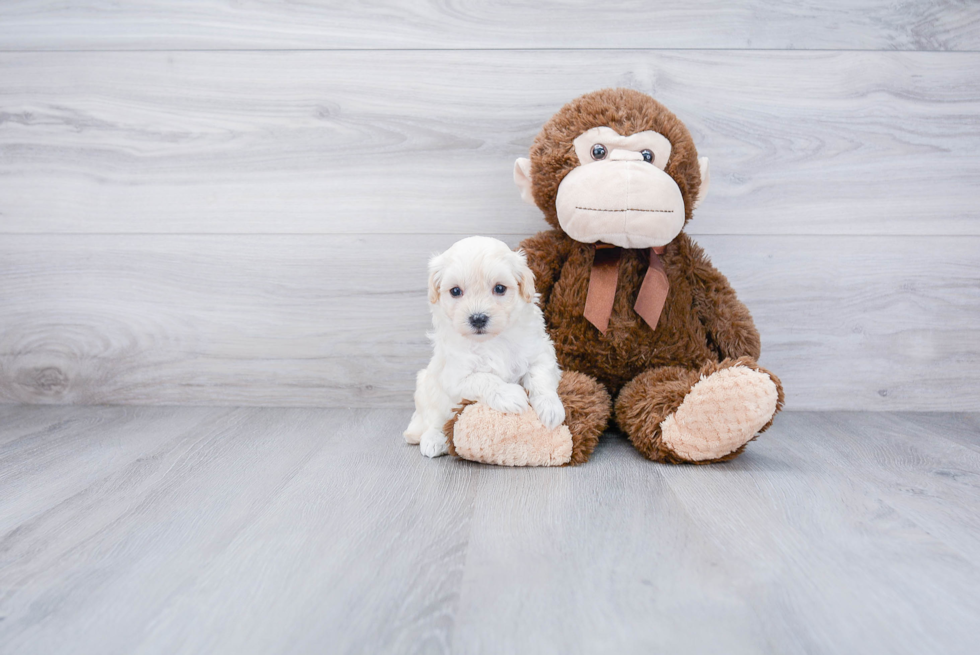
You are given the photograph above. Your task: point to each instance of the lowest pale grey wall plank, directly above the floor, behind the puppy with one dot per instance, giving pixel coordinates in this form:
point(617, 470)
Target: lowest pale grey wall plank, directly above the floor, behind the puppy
point(853, 323)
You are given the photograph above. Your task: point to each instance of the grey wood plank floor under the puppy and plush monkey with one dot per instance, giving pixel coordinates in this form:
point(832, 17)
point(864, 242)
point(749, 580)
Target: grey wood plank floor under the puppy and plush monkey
point(231, 530)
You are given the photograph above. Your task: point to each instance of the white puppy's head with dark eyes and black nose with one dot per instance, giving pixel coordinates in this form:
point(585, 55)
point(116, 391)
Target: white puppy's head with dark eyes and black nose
point(478, 284)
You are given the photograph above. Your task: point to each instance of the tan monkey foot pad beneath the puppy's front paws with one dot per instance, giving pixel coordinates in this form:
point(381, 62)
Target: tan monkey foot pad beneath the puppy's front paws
point(484, 435)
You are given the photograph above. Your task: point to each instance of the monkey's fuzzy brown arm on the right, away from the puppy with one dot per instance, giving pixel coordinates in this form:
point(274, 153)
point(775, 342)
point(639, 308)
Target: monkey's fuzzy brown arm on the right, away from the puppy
point(729, 324)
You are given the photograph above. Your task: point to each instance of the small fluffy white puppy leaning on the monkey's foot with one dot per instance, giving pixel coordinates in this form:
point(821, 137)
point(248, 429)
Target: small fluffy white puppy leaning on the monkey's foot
point(489, 340)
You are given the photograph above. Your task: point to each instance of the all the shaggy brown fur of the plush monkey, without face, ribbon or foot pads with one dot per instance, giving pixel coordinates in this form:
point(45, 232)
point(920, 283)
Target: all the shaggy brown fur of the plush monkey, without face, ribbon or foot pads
point(703, 328)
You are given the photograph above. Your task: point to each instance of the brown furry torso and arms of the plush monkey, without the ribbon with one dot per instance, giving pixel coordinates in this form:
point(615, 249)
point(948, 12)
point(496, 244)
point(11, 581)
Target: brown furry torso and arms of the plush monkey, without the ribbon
point(701, 321)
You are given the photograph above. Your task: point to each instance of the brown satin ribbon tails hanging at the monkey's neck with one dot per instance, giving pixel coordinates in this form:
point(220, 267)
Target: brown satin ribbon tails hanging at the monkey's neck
point(602, 287)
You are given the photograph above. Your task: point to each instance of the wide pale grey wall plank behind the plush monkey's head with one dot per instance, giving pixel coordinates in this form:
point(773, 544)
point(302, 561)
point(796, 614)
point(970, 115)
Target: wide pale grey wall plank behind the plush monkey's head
point(424, 142)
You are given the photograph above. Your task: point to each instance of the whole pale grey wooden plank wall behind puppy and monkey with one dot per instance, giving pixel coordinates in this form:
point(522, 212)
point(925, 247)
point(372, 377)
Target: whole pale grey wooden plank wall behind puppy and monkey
point(212, 202)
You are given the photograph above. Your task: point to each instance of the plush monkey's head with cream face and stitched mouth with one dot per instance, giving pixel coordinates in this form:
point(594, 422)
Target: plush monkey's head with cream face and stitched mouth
point(614, 166)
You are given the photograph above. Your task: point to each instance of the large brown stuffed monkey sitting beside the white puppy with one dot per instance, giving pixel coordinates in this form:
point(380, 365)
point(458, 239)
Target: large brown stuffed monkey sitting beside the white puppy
point(642, 322)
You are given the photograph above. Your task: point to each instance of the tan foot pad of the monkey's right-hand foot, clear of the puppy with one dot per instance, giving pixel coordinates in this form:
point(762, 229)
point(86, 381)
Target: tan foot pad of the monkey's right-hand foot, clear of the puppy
point(721, 413)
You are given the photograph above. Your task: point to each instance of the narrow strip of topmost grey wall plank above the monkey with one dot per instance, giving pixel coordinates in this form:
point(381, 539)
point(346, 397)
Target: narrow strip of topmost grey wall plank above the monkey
point(221, 24)
